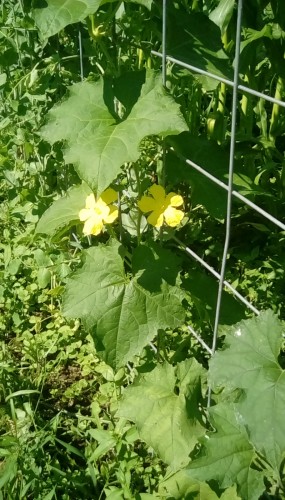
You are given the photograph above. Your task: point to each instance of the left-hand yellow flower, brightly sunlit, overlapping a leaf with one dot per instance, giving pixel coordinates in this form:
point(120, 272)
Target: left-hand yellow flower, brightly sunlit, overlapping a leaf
point(96, 213)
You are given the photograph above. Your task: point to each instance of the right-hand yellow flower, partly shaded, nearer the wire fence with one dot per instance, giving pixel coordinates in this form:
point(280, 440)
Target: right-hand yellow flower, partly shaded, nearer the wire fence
point(162, 207)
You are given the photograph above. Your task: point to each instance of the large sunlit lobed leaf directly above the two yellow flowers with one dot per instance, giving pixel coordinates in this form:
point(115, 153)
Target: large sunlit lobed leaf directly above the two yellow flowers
point(97, 144)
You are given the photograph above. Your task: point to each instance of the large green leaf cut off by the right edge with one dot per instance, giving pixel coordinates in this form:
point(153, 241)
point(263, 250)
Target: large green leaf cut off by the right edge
point(250, 362)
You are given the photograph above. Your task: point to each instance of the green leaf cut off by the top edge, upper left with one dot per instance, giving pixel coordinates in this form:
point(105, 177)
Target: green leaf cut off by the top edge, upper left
point(60, 13)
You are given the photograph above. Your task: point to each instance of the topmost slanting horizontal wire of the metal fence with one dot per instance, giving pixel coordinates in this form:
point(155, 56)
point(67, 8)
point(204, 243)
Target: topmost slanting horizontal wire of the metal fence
point(230, 83)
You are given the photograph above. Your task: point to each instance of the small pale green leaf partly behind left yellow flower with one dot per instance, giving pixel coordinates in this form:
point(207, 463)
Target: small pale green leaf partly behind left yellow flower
point(64, 211)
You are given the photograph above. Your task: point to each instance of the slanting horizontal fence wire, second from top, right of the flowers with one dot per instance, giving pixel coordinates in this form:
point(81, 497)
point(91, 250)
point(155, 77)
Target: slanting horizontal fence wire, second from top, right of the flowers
point(236, 194)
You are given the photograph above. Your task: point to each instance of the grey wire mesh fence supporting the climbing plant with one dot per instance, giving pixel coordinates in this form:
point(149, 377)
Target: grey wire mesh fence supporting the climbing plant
point(237, 88)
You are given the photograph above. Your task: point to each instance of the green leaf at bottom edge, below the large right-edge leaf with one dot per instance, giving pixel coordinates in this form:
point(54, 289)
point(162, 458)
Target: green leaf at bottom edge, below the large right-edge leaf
point(228, 455)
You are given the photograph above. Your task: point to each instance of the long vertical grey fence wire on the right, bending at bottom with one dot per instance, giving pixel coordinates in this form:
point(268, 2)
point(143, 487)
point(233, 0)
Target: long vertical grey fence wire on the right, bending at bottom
point(230, 184)
